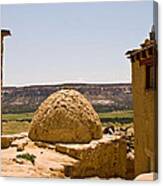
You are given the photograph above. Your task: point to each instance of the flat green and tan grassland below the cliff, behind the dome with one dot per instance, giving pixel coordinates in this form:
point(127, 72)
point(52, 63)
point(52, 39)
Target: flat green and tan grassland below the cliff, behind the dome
point(17, 123)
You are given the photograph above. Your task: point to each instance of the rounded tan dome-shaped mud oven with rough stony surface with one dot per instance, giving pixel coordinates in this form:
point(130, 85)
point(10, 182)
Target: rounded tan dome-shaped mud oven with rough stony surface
point(65, 116)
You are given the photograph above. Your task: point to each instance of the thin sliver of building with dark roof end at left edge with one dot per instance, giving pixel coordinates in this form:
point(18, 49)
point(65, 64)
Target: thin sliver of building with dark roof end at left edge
point(4, 33)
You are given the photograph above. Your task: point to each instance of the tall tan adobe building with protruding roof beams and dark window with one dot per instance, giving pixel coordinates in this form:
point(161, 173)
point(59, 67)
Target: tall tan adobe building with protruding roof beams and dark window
point(144, 87)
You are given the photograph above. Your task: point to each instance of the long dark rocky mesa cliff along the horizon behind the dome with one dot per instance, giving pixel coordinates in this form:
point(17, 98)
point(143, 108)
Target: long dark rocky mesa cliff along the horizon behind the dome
point(103, 97)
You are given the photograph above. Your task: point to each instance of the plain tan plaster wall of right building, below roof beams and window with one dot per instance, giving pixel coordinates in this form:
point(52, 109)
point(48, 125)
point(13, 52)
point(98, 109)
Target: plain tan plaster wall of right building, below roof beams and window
point(144, 120)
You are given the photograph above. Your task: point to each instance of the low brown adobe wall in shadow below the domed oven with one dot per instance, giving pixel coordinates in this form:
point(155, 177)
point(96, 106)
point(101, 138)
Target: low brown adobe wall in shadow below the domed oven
point(106, 159)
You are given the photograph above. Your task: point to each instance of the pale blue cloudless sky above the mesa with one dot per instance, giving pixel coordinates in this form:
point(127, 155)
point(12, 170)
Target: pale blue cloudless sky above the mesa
point(72, 42)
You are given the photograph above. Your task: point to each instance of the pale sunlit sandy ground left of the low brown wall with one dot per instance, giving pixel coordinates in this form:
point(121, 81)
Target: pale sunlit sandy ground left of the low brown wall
point(48, 162)
